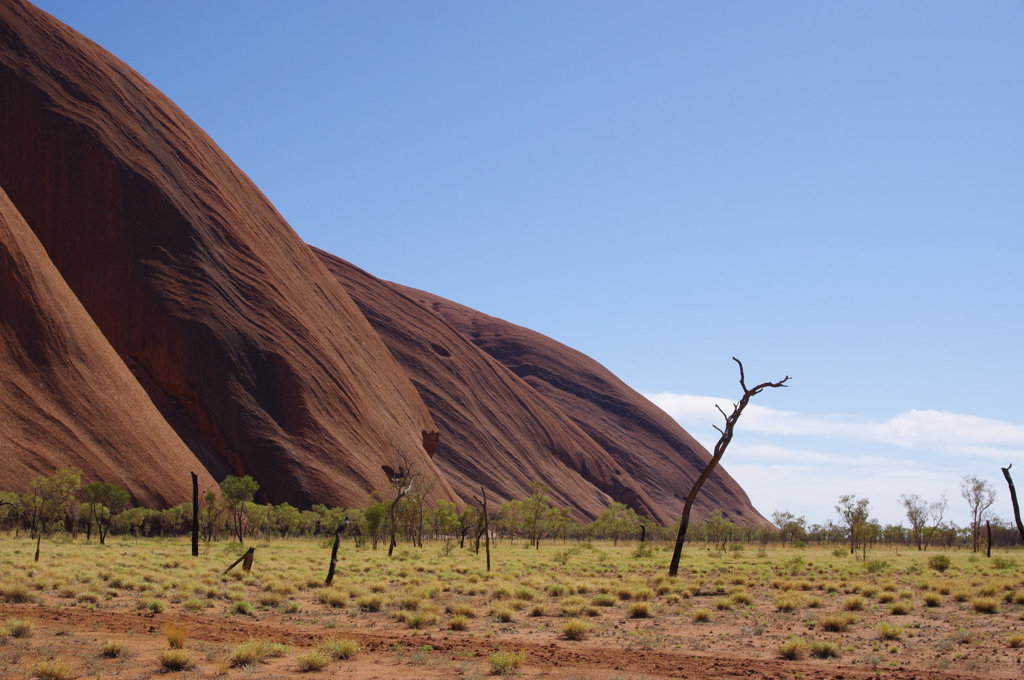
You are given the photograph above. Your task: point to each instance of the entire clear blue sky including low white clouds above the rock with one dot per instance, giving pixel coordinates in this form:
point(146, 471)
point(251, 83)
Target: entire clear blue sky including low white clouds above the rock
point(830, 191)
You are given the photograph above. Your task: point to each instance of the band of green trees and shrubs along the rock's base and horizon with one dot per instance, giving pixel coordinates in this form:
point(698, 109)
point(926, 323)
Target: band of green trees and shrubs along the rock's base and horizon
point(62, 503)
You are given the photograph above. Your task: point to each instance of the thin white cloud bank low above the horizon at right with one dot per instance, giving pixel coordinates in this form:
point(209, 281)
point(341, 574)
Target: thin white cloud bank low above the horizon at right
point(791, 461)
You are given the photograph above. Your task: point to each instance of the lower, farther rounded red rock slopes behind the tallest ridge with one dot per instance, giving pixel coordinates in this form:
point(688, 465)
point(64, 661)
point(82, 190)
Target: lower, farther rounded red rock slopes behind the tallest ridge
point(515, 406)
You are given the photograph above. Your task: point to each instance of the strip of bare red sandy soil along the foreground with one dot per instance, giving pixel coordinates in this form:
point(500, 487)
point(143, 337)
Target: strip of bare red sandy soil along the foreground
point(631, 651)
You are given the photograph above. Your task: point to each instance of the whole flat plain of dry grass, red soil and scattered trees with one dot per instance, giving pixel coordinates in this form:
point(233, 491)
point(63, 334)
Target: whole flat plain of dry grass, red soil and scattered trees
point(561, 593)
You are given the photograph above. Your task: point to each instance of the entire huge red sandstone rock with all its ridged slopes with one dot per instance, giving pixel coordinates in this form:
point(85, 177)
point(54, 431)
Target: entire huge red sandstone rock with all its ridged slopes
point(159, 316)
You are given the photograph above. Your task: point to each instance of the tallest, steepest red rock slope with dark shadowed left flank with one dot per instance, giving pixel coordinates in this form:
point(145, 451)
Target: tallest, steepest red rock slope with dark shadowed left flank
point(249, 348)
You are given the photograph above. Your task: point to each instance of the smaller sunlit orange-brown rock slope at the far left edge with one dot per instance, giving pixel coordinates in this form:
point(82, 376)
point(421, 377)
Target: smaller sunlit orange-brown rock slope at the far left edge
point(66, 397)
